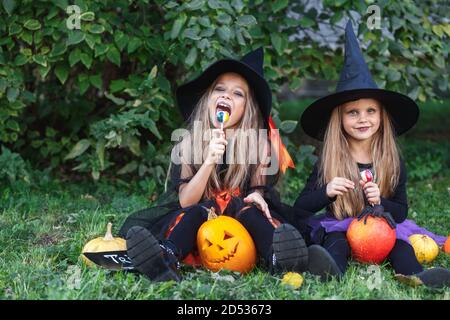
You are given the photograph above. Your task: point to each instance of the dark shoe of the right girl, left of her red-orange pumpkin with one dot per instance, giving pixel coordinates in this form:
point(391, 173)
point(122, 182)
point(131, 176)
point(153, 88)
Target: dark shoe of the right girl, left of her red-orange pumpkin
point(321, 263)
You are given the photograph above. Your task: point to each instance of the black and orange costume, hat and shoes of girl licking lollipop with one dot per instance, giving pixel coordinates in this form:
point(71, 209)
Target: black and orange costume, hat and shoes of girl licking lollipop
point(159, 237)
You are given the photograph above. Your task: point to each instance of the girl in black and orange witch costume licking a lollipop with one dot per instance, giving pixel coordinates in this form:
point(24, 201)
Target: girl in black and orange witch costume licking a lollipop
point(158, 238)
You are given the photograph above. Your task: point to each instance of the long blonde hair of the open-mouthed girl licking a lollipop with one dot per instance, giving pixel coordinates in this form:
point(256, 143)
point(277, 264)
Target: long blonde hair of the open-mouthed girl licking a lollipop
point(237, 174)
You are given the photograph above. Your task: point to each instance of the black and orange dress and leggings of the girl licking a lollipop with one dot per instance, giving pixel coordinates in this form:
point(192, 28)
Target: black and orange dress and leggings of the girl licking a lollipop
point(179, 225)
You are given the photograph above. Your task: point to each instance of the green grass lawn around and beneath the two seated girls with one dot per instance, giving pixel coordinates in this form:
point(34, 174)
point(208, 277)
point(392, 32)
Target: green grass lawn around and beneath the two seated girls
point(44, 226)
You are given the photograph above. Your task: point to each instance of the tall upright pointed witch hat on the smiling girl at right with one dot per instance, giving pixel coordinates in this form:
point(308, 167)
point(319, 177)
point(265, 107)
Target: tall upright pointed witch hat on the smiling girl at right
point(355, 83)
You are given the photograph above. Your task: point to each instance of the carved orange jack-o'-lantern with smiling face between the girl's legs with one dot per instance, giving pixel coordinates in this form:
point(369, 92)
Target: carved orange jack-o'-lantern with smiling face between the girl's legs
point(224, 243)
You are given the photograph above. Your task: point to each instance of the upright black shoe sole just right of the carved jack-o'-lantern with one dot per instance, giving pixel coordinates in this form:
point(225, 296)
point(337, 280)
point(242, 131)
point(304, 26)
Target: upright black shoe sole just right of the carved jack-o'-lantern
point(289, 250)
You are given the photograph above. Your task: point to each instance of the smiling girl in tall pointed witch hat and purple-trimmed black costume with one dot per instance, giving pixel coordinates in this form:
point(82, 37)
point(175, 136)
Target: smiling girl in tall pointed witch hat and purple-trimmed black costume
point(358, 125)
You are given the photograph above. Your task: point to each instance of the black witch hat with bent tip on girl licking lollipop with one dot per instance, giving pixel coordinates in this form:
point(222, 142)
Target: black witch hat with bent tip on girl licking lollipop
point(250, 67)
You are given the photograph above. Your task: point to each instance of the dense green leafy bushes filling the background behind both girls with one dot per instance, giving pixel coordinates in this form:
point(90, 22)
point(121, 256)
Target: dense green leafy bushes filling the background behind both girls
point(99, 99)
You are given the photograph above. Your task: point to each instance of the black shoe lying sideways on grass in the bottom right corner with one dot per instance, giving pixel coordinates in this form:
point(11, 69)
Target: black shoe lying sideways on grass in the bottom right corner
point(433, 278)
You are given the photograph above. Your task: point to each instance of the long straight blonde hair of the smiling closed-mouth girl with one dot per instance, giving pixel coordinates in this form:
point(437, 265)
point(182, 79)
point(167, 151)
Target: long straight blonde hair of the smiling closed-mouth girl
point(336, 161)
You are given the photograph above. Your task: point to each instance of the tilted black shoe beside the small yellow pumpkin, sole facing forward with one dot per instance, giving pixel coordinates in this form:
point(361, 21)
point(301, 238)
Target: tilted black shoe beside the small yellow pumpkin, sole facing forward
point(150, 257)
